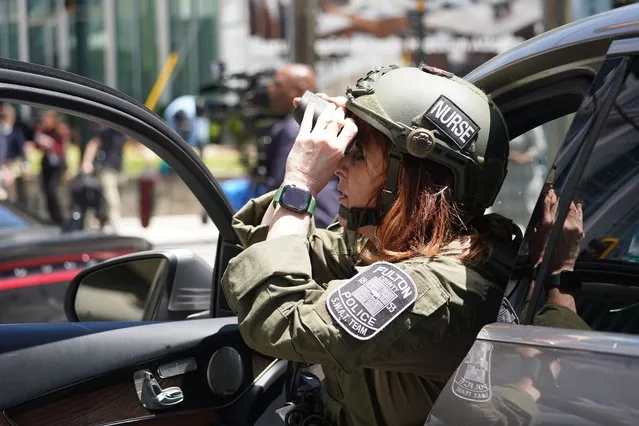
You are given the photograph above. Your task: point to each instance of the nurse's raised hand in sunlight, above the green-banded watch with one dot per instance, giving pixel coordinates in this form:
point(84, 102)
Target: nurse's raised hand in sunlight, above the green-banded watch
point(317, 150)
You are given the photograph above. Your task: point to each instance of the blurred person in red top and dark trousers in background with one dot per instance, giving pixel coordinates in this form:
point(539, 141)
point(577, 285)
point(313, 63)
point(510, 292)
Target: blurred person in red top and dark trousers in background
point(52, 137)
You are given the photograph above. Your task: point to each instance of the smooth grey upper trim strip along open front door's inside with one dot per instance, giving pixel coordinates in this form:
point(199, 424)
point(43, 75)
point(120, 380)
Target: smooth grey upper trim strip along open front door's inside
point(66, 362)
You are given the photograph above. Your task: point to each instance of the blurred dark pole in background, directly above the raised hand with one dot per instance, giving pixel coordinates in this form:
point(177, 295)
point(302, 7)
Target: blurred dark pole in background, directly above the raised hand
point(302, 39)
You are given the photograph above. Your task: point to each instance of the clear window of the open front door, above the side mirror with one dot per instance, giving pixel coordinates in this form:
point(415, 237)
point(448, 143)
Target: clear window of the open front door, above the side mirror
point(46, 240)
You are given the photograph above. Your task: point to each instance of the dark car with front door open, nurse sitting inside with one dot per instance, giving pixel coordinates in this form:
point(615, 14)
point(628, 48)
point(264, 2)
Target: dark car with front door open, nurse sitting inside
point(194, 368)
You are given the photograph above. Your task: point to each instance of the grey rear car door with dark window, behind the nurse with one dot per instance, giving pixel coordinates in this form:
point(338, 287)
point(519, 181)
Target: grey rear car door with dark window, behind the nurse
point(526, 374)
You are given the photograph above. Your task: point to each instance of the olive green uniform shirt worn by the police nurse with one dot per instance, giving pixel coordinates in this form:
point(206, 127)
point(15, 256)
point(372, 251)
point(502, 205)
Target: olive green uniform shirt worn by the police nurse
point(278, 289)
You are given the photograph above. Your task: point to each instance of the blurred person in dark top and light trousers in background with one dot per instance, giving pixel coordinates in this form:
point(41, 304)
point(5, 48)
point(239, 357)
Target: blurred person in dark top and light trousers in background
point(103, 156)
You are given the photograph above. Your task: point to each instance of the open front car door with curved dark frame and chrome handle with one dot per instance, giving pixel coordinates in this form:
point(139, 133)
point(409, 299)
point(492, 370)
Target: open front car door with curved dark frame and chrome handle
point(180, 372)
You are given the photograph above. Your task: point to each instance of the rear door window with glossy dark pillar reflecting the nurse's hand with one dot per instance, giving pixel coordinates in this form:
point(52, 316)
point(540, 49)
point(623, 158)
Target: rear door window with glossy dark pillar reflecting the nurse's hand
point(605, 294)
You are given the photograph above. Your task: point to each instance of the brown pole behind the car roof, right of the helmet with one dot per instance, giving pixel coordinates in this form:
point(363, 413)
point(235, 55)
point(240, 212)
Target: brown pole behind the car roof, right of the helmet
point(556, 13)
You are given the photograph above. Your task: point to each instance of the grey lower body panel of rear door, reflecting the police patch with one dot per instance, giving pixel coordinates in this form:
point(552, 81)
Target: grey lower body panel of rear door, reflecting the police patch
point(528, 384)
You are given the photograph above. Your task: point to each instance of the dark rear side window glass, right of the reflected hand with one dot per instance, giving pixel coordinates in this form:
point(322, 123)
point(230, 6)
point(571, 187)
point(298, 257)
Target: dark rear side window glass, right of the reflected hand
point(609, 190)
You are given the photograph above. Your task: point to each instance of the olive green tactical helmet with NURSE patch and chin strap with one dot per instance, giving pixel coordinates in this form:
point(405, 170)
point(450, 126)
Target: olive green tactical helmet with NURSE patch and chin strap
point(430, 113)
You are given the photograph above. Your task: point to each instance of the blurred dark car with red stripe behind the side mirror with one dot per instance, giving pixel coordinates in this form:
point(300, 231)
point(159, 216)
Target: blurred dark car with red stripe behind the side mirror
point(39, 260)
